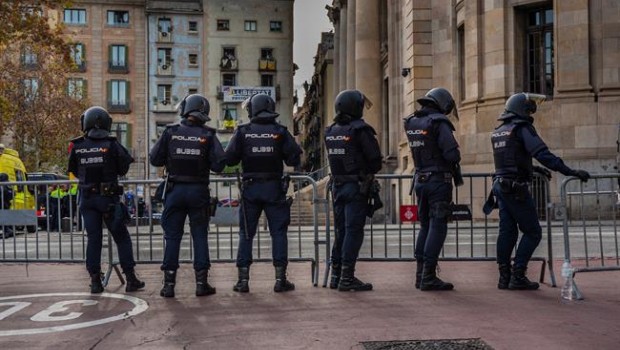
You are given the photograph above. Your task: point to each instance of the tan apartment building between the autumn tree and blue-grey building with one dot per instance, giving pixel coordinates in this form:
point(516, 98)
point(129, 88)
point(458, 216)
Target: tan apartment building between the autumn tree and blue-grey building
point(109, 49)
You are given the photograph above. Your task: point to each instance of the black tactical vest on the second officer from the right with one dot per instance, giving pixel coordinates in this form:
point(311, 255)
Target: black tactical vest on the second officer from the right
point(422, 137)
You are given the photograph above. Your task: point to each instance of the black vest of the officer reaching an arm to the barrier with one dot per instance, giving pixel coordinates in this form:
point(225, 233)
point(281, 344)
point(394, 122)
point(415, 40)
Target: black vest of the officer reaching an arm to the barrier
point(509, 154)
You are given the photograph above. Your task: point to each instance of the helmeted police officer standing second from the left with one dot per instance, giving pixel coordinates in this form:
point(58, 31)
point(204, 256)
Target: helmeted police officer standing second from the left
point(189, 150)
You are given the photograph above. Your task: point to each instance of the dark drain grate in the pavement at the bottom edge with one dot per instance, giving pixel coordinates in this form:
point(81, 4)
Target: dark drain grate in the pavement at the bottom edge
point(433, 344)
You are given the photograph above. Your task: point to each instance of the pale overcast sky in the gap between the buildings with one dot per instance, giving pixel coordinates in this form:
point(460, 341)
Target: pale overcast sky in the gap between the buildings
point(310, 20)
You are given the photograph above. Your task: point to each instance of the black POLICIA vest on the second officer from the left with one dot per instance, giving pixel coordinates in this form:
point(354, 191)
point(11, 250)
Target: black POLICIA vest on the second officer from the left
point(188, 153)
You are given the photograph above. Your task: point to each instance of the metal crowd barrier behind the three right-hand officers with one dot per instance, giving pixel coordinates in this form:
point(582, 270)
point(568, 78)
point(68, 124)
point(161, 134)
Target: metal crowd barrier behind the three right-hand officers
point(387, 238)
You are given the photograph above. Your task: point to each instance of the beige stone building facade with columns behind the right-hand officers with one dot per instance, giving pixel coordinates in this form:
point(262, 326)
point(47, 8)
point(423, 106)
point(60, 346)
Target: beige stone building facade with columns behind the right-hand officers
point(483, 52)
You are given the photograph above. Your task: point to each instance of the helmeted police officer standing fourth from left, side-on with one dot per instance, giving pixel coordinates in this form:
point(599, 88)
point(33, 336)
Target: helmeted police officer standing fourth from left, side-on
point(353, 153)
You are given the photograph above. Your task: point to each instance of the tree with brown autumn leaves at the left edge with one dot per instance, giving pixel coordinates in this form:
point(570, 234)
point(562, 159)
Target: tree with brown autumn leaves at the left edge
point(37, 111)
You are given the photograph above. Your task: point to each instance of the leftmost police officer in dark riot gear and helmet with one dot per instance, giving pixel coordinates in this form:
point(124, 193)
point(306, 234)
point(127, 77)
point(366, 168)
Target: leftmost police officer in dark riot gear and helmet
point(98, 159)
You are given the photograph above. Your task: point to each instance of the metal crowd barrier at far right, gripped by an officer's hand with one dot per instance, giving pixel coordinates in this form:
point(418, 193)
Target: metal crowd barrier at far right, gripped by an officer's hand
point(589, 212)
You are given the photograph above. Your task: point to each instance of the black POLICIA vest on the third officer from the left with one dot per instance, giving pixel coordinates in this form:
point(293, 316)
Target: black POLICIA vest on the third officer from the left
point(262, 150)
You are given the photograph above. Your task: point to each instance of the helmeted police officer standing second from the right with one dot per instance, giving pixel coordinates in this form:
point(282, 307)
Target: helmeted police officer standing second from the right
point(436, 155)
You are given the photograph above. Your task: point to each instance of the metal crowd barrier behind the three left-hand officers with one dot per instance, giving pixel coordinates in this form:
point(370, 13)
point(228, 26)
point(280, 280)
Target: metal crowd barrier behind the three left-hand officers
point(33, 242)
